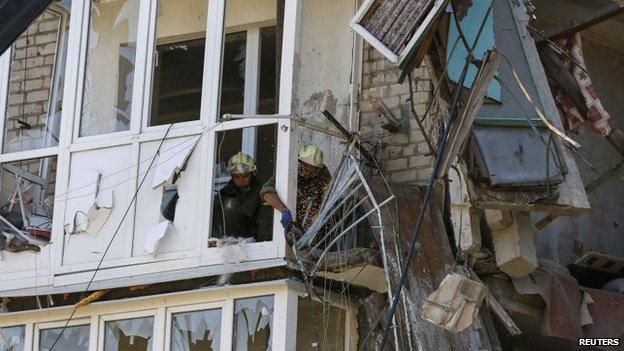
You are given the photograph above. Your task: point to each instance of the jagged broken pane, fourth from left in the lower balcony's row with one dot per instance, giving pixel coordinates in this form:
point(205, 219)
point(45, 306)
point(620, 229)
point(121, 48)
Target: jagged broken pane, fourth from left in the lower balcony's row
point(196, 331)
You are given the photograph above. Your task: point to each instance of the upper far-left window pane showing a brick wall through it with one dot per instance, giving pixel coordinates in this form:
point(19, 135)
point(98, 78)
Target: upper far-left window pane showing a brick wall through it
point(35, 91)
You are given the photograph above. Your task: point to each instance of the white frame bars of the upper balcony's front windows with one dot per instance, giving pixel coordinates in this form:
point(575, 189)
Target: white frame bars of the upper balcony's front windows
point(139, 132)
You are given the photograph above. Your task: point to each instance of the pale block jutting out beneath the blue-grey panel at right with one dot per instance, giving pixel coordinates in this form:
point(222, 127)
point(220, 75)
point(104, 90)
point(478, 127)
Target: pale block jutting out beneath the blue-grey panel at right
point(512, 234)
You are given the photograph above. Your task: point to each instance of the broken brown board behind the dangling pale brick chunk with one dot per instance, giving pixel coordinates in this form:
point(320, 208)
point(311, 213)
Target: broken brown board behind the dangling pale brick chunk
point(427, 268)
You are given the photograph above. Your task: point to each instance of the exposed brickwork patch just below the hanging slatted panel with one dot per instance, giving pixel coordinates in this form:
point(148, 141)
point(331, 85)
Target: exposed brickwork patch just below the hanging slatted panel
point(405, 153)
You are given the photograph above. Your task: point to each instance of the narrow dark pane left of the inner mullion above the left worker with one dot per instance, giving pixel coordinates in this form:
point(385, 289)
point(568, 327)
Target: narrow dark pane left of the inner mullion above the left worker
point(233, 73)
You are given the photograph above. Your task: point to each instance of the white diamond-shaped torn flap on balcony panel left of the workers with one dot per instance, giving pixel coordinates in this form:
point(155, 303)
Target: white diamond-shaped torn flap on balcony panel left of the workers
point(172, 161)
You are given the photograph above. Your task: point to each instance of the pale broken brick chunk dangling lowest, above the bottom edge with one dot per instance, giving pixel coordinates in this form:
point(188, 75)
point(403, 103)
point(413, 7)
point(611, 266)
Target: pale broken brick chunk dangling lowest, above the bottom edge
point(455, 304)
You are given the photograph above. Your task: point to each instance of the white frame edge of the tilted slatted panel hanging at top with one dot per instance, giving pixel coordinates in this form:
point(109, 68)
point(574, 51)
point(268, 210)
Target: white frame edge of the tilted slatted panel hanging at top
point(398, 58)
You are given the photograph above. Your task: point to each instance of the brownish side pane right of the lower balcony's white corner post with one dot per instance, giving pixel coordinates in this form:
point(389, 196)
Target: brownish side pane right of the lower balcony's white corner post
point(320, 327)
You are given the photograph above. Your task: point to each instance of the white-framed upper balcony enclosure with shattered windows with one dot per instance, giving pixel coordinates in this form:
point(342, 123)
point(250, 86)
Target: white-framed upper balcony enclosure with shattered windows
point(105, 99)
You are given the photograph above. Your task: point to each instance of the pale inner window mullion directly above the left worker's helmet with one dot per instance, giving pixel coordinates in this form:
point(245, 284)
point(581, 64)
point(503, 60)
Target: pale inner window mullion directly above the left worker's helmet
point(252, 81)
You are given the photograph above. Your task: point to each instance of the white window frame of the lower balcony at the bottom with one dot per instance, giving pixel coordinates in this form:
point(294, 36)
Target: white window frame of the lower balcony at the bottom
point(285, 292)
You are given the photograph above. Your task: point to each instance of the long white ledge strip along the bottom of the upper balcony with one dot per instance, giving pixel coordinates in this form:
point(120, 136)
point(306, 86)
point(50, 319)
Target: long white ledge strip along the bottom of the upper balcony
point(150, 278)
